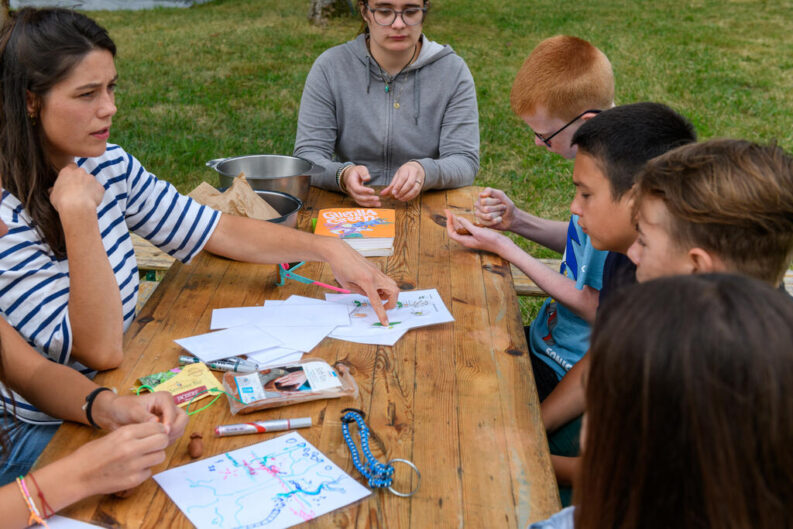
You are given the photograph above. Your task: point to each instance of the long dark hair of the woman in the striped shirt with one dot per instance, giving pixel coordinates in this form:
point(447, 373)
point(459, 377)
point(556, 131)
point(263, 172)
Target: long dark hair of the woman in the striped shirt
point(38, 49)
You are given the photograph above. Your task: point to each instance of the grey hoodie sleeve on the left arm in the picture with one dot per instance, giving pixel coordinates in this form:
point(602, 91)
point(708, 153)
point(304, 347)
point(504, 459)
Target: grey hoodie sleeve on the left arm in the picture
point(317, 130)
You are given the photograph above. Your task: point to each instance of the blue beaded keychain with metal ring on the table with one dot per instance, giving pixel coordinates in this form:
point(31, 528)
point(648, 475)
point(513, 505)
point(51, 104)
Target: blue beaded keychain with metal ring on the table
point(378, 475)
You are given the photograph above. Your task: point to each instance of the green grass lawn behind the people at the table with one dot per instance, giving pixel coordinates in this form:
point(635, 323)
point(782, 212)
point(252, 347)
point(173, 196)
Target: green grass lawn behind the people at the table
point(225, 78)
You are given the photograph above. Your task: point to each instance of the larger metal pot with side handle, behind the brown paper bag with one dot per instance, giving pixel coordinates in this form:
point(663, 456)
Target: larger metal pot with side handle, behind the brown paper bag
point(267, 172)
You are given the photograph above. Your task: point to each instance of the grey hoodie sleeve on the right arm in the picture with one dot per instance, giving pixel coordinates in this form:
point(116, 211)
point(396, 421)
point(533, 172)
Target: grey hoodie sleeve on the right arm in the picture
point(459, 140)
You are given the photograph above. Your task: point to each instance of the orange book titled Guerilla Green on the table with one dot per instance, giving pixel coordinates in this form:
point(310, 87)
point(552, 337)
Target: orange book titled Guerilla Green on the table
point(370, 231)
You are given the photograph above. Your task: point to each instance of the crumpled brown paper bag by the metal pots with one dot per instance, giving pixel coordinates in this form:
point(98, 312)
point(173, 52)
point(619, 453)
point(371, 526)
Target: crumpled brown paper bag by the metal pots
point(239, 199)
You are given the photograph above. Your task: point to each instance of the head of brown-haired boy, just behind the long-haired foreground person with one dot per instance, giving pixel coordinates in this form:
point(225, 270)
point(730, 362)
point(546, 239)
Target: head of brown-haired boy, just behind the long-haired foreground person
point(719, 206)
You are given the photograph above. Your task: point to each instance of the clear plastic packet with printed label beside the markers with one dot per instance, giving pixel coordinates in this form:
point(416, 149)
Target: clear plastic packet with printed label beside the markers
point(288, 384)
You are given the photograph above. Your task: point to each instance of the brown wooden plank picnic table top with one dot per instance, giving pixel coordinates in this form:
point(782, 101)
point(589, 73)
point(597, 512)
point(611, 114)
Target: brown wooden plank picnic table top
point(457, 399)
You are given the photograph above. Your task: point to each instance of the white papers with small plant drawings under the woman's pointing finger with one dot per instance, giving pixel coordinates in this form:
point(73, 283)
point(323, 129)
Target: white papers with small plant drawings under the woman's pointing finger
point(417, 308)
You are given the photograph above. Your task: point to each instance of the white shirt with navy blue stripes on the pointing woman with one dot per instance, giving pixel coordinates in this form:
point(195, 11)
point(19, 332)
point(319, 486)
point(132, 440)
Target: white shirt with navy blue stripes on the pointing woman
point(34, 285)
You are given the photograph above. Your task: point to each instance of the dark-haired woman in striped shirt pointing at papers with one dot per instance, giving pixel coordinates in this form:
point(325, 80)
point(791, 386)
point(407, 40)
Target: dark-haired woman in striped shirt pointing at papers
point(68, 276)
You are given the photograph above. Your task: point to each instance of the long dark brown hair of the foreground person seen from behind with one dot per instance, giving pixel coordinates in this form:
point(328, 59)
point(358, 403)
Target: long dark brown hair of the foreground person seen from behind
point(688, 408)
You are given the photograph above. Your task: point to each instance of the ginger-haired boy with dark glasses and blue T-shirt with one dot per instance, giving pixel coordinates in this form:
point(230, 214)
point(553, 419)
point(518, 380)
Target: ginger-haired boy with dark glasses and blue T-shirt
point(564, 82)
